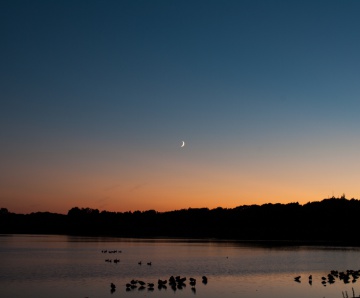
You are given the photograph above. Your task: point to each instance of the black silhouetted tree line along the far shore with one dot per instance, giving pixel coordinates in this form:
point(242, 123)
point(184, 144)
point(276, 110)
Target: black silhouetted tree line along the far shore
point(331, 221)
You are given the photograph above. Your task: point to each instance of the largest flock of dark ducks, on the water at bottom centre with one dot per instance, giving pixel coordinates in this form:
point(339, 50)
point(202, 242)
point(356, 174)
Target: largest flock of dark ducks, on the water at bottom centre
point(176, 283)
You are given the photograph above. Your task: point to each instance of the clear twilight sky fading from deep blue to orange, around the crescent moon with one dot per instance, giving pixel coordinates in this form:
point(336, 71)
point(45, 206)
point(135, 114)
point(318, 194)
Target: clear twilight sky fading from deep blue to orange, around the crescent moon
point(97, 97)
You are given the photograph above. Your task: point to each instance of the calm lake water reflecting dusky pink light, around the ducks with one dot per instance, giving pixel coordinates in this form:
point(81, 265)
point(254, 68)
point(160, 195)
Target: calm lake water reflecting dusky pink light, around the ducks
point(65, 266)
